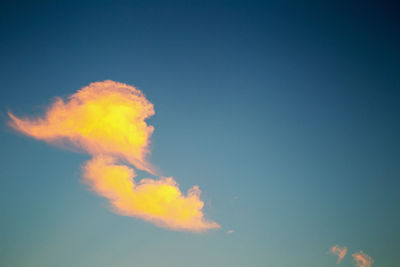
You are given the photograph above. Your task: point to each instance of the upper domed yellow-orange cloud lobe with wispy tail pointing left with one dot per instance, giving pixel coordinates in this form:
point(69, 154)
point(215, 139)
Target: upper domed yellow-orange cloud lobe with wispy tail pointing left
point(103, 118)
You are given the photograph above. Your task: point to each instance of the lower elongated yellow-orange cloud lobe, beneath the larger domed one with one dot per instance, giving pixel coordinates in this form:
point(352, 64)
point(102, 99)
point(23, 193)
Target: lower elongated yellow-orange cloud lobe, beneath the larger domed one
point(159, 201)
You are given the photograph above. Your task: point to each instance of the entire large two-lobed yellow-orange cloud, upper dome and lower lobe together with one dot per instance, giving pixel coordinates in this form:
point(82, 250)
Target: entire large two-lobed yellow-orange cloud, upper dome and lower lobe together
point(107, 119)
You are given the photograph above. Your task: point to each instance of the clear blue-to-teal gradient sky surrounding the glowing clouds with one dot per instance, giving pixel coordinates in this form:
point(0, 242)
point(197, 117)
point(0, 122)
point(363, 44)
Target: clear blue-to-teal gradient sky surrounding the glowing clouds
point(284, 113)
